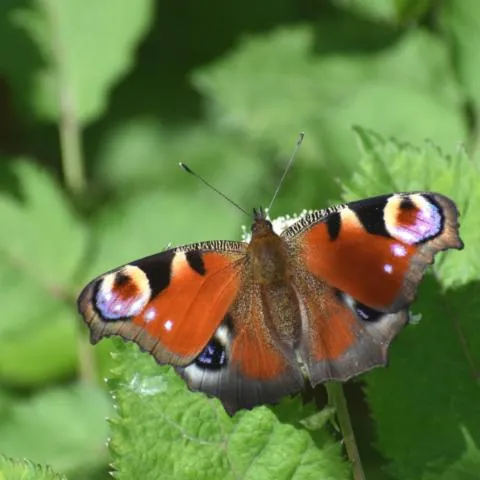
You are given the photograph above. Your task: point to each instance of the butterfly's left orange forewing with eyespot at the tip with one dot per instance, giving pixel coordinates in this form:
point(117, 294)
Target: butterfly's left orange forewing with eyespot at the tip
point(171, 303)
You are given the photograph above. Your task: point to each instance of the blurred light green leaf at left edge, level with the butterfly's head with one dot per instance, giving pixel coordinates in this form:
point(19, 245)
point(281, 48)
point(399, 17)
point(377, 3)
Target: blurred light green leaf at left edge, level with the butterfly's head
point(40, 234)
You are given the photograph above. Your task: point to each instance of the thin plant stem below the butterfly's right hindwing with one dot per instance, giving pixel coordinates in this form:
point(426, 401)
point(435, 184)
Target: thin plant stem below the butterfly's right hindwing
point(336, 398)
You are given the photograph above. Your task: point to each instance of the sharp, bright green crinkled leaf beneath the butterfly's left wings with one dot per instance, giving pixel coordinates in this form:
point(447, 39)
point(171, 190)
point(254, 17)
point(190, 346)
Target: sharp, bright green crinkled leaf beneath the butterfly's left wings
point(164, 430)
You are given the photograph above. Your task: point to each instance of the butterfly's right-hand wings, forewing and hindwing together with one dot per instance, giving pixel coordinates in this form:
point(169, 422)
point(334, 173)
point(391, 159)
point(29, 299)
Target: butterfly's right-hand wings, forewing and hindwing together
point(357, 270)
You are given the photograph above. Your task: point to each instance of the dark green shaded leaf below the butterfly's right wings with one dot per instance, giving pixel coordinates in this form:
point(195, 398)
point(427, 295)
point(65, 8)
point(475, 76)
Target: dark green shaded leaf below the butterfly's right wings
point(429, 393)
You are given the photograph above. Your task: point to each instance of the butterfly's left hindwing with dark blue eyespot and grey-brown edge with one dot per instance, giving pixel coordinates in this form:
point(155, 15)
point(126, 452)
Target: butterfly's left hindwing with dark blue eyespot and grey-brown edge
point(245, 363)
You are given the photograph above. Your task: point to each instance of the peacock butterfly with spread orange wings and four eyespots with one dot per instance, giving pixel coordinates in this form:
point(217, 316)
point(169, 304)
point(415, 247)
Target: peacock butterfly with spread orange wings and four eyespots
point(252, 322)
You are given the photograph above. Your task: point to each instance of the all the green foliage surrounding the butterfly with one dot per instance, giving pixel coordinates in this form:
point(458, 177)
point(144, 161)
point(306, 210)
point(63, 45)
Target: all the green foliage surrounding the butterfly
point(99, 103)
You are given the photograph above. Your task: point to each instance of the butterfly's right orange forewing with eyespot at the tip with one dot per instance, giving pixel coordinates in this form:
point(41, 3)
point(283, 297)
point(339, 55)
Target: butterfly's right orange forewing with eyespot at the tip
point(376, 250)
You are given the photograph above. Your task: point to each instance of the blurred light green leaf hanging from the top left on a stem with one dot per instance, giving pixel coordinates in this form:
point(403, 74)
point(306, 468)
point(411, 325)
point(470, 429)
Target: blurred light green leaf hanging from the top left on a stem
point(85, 47)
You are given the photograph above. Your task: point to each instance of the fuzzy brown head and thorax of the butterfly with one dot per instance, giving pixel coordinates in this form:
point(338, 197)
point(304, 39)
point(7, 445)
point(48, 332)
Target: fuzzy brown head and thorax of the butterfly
point(268, 254)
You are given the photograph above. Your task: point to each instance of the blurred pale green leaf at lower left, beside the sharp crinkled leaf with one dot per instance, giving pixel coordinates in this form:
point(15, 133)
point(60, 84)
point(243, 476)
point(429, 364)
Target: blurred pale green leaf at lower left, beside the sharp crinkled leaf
point(64, 428)
